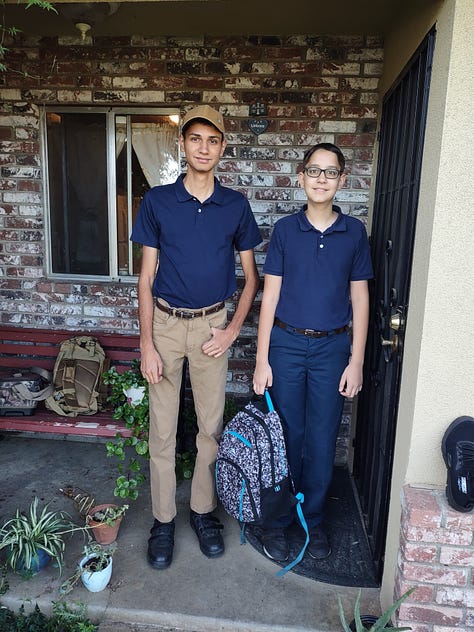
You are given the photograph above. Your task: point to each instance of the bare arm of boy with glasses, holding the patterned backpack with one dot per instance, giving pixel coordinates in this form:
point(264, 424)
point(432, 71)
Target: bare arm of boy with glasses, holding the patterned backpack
point(263, 376)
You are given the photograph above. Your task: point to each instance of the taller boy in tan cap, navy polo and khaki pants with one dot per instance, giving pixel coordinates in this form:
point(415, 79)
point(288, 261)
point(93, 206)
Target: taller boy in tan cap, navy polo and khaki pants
point(190, 231)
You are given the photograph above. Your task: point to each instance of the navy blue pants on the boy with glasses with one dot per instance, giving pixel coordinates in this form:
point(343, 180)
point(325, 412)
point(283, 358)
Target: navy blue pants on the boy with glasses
point(305, 391)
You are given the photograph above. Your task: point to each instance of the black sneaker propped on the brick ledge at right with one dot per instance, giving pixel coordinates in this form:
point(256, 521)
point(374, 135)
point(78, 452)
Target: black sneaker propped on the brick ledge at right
point(457, 448)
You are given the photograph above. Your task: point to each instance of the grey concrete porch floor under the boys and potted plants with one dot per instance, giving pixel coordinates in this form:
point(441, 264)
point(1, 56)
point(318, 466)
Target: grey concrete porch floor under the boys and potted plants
point(237, 592)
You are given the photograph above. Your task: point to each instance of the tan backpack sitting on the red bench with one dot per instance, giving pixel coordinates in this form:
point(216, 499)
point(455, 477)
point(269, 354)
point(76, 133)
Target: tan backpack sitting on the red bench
point(77, 377)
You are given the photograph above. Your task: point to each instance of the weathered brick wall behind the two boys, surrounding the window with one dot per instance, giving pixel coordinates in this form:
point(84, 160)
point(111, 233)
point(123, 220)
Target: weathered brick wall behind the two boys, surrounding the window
point(317, 89)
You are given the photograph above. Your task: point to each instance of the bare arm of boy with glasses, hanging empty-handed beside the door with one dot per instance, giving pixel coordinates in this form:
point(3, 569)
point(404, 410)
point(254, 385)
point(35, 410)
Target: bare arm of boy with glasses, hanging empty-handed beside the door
point(352, 378)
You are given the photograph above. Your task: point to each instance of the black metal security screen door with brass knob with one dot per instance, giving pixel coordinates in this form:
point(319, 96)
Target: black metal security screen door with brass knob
point(392, 238)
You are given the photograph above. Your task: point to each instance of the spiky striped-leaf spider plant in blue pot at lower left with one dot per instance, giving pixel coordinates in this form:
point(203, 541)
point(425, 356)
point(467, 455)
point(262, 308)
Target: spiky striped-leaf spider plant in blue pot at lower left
point(34, 538)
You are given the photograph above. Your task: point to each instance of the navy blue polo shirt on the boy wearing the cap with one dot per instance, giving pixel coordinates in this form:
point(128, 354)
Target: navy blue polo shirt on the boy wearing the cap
point(196, 241)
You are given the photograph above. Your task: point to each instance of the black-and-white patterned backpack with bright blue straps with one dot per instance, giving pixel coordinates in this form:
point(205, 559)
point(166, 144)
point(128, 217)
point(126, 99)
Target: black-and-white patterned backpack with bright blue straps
point(252, 477)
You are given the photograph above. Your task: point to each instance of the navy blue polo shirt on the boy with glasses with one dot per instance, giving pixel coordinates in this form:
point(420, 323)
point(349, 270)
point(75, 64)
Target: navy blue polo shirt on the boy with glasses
point(317, 268)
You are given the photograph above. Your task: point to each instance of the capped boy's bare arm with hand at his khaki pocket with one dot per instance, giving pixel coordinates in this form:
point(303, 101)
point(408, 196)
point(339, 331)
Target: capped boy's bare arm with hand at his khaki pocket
point(222, 339)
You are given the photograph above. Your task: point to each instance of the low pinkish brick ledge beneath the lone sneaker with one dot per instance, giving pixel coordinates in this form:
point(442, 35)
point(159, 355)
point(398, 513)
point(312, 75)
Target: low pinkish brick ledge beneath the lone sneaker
point(437, 556)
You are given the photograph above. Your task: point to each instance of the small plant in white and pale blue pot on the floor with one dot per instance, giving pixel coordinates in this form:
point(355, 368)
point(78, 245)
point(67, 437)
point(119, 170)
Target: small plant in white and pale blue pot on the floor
point(94, 569)
